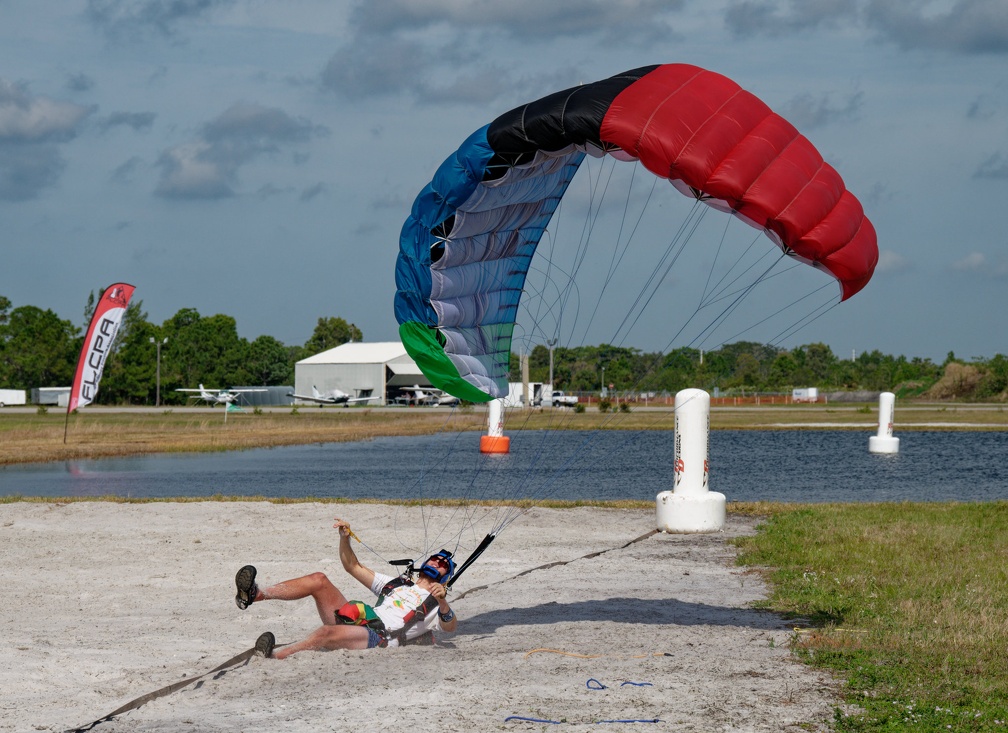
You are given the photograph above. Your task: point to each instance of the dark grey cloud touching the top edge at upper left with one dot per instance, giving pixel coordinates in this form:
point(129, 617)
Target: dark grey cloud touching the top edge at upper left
point(133, 19)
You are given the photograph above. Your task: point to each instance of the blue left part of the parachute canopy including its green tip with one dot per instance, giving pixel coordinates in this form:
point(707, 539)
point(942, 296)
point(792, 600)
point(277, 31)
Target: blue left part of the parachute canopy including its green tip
point(464, 256)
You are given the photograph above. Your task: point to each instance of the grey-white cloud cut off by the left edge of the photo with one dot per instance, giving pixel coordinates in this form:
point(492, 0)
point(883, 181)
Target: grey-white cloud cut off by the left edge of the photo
point(32, 131)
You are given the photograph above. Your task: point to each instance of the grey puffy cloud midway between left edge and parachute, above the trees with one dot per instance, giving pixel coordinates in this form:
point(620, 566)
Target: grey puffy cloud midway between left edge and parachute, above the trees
point(208, 167)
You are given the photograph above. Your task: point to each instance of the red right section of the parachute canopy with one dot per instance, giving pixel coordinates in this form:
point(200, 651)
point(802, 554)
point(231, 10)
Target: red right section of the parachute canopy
point(717, 142)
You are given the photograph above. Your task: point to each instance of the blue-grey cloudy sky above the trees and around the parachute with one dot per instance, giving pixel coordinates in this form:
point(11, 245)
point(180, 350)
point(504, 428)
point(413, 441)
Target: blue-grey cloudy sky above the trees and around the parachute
point(260, 159)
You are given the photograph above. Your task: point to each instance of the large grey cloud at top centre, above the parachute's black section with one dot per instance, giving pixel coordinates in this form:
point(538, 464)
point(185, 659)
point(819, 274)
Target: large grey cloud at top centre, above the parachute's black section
point(414, 48)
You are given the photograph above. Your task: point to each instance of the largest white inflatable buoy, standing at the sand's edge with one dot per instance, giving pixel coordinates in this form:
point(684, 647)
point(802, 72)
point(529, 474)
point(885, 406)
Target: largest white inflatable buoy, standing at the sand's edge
point(692, 507)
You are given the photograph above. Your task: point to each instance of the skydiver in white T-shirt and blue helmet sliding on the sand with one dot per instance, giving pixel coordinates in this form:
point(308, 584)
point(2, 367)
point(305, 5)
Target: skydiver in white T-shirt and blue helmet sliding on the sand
point(407, 612)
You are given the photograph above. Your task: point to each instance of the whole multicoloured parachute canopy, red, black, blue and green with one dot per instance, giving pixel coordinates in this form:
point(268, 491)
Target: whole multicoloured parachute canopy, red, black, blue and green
point(467, 247)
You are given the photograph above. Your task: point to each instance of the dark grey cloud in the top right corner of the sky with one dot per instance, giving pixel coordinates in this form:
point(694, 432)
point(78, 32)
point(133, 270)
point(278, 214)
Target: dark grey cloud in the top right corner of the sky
point(969, 27)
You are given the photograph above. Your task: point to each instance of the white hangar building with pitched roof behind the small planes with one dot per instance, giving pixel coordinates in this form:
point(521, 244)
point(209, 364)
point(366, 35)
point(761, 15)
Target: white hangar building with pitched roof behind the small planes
point(383, 371)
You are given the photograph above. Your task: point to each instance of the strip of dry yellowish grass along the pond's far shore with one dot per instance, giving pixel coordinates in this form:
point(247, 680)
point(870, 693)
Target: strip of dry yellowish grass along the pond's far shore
point(104, 433)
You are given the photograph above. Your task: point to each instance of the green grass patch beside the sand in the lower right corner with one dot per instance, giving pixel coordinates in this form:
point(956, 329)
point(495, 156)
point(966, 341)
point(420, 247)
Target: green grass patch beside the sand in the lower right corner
point(907, 603)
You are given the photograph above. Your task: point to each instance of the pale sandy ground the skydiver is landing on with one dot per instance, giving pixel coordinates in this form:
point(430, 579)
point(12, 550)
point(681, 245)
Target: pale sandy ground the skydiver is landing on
point(105, 603)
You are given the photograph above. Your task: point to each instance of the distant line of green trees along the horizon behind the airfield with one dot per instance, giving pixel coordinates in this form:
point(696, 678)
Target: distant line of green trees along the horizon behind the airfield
point(39, 349)
